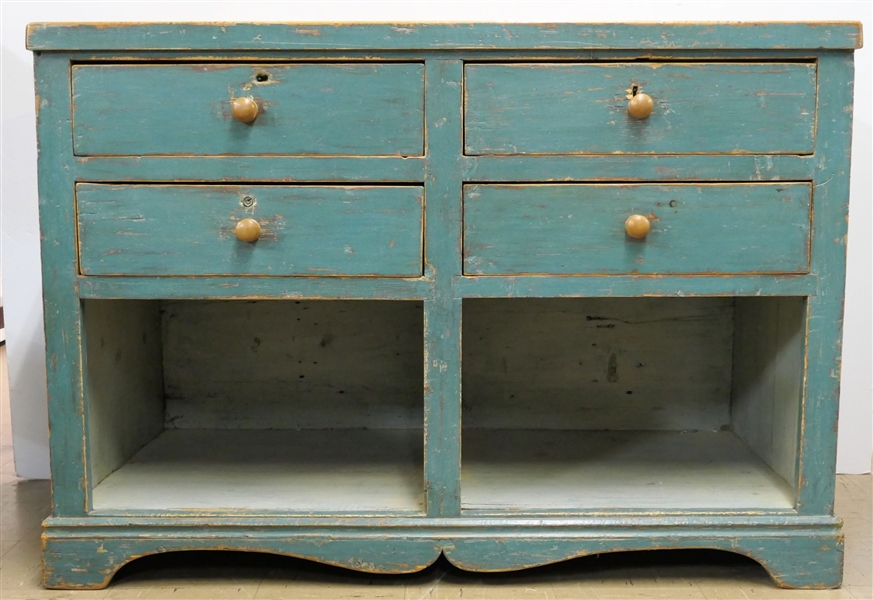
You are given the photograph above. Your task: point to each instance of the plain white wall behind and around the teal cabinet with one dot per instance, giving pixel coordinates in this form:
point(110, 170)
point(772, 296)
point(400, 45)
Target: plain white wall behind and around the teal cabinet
point(19, 250)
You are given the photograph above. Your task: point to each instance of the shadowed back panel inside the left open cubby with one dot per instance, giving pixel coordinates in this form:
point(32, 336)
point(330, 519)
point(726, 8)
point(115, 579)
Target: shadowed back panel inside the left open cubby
point(296, 365)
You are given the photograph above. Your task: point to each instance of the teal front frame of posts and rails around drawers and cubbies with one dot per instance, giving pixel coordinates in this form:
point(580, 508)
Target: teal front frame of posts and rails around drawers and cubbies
point(443, 170)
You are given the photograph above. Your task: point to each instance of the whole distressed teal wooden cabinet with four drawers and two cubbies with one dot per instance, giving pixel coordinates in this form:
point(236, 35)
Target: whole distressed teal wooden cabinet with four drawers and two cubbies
point(513, 294)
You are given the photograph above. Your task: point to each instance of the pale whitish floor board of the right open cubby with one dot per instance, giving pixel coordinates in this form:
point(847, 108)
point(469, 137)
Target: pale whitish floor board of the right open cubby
point(539, 470)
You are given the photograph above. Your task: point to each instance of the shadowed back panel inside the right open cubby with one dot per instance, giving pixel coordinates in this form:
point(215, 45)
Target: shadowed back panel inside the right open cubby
point(598, 363)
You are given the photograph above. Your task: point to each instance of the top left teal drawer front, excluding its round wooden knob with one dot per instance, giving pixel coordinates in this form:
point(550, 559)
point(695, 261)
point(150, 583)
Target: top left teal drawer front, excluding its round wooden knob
point(364, 109)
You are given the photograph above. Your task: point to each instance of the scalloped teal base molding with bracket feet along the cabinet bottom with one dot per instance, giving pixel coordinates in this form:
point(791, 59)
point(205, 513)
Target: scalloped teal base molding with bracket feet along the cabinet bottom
point(798, 552)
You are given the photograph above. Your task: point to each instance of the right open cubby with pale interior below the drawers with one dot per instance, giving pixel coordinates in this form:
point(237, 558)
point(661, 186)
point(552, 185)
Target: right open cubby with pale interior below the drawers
point(631, 403)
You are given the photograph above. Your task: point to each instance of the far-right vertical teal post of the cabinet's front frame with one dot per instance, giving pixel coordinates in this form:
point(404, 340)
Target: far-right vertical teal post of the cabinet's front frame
point(818, 452)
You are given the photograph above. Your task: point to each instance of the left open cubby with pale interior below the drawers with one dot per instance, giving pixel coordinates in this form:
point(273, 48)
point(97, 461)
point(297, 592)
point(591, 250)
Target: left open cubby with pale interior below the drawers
point(291, 406)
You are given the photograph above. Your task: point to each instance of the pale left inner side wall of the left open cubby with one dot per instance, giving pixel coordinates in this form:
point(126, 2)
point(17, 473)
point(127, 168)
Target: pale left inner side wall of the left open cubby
point(124, 384)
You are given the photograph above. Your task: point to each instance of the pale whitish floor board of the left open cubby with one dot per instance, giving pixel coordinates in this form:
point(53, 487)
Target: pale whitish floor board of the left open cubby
point(320, 470)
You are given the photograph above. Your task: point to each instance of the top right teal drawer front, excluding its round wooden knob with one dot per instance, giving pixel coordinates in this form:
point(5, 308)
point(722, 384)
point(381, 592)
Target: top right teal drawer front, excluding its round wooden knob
point(699, 108)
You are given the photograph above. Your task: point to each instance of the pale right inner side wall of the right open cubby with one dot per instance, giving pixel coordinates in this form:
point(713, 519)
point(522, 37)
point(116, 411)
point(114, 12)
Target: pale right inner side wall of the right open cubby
point(768, 377)
